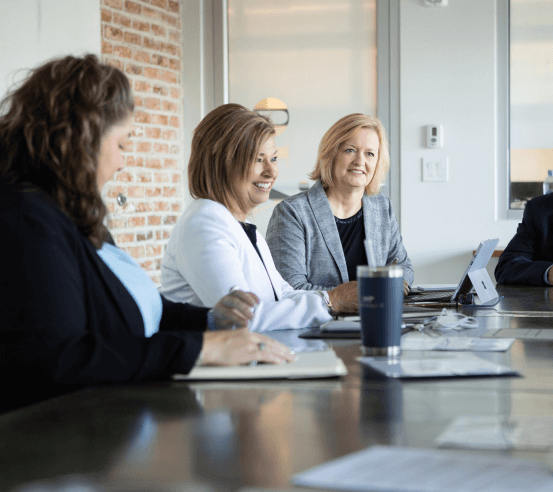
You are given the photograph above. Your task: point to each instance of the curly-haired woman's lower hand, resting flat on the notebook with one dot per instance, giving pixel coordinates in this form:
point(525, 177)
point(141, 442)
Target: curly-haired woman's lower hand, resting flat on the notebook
point(235, 347)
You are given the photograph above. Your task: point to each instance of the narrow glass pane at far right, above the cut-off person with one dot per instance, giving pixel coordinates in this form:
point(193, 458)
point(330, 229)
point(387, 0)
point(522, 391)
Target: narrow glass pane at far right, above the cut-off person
point(531, 98)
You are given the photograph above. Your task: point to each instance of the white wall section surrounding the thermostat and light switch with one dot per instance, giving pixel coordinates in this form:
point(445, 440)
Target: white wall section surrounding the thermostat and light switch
point(447, 66)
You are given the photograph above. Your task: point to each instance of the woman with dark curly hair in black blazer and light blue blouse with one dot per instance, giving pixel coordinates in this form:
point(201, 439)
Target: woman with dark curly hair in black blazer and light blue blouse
point(75, 310)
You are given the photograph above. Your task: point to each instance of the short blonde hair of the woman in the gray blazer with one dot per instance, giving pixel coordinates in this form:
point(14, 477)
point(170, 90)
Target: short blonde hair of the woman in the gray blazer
point(338, 133)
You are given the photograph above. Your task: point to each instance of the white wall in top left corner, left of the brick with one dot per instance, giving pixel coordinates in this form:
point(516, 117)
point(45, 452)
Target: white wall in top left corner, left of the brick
point(33, 31)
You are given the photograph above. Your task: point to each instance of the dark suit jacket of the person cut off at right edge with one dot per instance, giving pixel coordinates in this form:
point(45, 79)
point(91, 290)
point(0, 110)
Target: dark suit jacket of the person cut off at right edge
point(530, 253)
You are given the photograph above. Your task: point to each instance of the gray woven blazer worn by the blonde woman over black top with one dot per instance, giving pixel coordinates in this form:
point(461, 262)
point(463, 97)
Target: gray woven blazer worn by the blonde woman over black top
point(305, 244)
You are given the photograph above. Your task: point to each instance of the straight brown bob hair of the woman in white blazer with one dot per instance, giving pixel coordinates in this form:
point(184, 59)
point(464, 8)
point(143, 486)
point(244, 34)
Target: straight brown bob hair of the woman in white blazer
point(224, 148)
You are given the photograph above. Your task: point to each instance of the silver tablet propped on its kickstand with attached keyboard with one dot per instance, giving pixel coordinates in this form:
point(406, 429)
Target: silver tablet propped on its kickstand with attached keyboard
point(476, 276)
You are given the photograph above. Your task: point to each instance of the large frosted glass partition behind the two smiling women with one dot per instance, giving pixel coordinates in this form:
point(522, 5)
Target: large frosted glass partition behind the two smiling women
point(306, 63)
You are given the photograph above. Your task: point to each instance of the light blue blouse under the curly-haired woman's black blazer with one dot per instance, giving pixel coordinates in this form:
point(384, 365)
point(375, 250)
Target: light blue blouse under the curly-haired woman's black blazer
point(137, 282)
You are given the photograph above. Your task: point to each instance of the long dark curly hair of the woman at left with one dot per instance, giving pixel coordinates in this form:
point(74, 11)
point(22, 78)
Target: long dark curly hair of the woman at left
point(51, 128)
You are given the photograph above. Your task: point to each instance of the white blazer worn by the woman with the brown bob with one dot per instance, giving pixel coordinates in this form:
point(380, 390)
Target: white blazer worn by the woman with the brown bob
point(209, 252)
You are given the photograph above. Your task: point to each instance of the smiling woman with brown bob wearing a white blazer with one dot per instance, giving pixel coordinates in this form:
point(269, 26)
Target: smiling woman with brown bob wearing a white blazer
point(213, 247)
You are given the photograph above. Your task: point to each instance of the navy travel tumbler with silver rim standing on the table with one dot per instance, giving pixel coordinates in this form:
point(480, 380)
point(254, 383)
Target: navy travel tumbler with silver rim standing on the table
point(381, 306)
